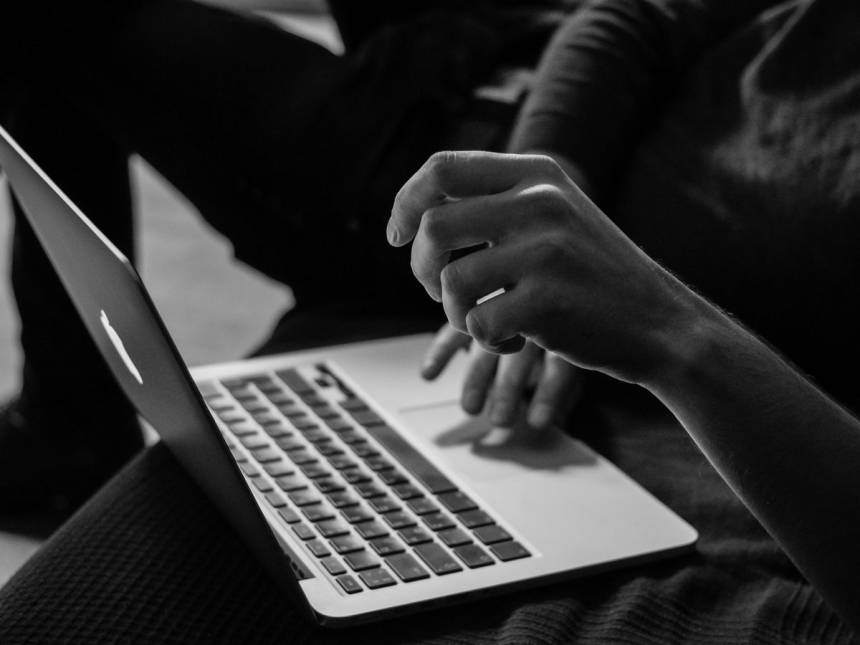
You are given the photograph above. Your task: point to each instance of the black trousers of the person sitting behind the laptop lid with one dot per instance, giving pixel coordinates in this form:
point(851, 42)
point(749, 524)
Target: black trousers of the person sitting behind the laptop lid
point(291, 152)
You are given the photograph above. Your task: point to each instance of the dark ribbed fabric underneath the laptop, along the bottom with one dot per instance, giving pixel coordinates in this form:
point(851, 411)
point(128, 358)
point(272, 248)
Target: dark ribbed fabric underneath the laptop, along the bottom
point(150, 560)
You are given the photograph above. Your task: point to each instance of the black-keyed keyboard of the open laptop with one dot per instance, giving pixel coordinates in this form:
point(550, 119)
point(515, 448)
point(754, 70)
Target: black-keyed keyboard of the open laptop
point(373, 510)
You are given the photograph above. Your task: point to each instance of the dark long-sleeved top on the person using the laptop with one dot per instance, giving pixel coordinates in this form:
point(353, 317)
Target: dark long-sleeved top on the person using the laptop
point(727, 144)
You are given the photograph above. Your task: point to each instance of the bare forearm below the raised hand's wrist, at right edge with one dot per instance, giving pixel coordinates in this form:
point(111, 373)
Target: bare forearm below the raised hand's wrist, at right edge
point(790, 453)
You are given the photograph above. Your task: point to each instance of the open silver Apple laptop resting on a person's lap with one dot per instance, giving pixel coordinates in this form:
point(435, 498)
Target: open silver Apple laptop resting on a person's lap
point(364, 491)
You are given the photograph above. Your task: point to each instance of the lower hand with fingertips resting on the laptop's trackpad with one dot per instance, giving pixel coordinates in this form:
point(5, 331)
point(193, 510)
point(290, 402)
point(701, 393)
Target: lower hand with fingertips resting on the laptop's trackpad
point(540, 386)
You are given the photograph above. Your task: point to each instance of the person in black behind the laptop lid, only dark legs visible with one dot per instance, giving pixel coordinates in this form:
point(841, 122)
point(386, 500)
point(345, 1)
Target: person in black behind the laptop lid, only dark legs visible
point(275, 140)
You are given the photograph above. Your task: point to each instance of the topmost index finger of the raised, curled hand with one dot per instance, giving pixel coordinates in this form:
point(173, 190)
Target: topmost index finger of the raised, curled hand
point(457, 174)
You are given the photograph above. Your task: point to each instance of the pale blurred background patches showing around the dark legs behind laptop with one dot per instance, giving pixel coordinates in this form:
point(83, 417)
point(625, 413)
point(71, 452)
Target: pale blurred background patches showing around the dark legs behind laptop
point(214, 308)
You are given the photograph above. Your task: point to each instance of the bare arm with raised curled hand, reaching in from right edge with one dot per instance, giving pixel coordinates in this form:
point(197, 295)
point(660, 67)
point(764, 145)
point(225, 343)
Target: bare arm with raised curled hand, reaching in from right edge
point(576, 285)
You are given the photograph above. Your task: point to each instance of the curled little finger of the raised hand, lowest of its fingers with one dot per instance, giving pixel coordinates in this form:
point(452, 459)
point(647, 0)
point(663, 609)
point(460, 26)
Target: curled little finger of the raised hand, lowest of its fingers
point(498, 324)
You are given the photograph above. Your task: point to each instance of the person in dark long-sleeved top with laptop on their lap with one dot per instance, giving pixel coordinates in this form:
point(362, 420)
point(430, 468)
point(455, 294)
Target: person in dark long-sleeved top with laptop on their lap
point(721, 139)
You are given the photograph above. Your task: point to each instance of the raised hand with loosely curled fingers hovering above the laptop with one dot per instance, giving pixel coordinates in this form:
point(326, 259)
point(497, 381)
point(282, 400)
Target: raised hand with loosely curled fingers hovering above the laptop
point(572, 282)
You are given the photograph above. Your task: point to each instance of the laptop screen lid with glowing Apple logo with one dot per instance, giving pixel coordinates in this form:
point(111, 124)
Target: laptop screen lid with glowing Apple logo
point(122, 320)
